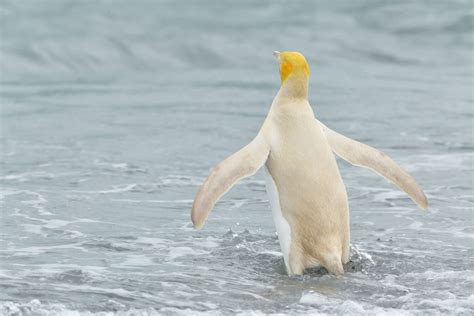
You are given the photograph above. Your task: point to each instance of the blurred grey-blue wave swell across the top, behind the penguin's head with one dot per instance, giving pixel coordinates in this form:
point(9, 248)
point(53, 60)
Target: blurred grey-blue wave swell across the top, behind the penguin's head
point(163, 38)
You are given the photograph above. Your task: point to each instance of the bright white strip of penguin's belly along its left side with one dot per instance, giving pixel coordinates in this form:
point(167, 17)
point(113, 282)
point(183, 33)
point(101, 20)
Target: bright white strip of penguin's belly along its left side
point(282, 226)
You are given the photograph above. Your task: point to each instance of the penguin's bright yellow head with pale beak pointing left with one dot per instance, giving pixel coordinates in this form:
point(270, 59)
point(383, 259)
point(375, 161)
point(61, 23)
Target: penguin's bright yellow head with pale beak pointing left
point(292, 64)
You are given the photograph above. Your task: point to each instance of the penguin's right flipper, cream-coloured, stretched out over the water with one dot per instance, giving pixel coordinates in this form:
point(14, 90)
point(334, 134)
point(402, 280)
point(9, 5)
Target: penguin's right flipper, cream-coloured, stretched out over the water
point(362, 155)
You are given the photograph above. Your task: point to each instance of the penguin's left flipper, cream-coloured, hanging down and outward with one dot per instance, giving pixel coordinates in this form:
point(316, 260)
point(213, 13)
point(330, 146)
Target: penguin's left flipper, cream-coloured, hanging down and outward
point(241, 164)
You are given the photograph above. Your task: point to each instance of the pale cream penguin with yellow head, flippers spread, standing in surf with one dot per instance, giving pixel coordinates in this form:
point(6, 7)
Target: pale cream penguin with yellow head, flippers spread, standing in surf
point(306, 192)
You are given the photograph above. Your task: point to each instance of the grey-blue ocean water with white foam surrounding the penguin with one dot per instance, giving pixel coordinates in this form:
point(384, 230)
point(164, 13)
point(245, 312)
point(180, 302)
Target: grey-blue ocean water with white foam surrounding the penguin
point(114, 112)
